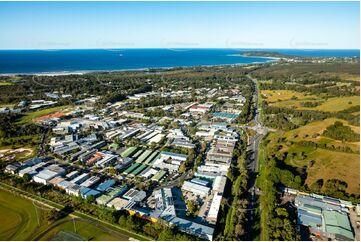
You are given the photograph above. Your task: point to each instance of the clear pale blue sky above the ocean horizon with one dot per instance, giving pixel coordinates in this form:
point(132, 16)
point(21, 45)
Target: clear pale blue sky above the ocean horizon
point(64, 25)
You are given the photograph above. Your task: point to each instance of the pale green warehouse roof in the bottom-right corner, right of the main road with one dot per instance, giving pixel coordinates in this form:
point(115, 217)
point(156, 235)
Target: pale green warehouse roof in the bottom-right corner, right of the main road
point(338, 223)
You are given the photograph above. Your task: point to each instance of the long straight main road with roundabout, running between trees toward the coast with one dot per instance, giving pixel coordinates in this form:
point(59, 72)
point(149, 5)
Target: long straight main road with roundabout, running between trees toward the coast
point(252, 164)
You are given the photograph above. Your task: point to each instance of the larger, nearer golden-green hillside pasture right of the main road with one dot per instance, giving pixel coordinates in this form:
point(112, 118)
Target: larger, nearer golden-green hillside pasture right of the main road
point(329, 164)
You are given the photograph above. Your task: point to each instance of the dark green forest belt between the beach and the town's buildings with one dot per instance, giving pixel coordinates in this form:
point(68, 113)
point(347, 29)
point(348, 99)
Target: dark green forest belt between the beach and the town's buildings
point(115, 86)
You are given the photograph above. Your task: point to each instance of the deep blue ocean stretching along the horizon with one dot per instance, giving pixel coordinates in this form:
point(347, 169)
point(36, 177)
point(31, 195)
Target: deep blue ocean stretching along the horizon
point(86, 60)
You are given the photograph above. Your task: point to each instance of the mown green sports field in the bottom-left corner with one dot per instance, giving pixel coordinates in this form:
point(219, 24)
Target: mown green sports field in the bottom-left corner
point(18, 221)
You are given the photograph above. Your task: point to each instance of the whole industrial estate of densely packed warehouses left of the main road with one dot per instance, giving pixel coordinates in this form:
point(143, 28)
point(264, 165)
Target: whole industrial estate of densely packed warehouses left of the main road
point(110, 153)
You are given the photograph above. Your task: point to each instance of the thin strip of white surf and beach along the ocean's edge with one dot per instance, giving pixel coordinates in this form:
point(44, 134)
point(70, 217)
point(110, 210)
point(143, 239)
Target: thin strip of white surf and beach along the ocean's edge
point(82, 72)
